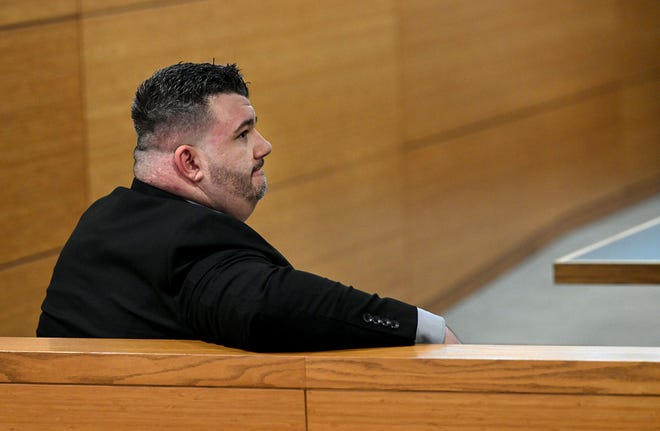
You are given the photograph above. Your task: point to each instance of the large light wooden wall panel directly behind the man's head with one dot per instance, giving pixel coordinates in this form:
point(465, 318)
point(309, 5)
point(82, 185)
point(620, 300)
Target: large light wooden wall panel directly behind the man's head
point(319, 71)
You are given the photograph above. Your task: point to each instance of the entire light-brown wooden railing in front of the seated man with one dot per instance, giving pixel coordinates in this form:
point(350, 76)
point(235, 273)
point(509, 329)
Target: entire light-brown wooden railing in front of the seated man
point(53, 384)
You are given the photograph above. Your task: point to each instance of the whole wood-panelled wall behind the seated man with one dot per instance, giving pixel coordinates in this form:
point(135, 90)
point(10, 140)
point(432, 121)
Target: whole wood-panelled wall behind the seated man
point(410, 137)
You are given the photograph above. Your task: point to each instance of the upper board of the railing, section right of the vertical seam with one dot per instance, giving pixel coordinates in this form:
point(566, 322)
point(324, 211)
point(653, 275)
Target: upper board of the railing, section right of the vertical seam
point(504, 369)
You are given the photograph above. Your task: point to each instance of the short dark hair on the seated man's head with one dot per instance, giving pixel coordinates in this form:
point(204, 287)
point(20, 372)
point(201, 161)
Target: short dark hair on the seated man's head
point(175, 98)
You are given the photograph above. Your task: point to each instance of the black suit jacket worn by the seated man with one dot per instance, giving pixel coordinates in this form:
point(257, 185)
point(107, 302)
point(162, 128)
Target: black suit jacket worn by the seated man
point(144, 263)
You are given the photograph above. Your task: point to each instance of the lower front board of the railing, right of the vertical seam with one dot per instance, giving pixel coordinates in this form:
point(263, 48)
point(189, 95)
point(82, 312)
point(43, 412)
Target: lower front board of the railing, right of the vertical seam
point(390, 411)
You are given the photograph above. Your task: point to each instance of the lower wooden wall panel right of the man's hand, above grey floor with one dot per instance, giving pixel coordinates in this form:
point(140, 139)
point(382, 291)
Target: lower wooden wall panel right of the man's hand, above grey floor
point(472, 200)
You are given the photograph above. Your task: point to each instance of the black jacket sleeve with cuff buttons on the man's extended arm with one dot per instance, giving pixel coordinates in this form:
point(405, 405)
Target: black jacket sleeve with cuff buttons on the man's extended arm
point(240, 299)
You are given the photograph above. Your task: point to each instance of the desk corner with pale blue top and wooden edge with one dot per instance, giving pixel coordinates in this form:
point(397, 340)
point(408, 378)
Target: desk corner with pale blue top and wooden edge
point(632, 256)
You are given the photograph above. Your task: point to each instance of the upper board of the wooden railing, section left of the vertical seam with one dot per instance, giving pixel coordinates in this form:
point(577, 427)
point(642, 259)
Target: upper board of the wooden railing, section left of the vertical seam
point(190, 364)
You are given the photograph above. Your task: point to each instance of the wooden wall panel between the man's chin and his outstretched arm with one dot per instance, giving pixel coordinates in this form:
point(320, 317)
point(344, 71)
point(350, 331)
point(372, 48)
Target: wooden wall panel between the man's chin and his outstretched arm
point(346, 225)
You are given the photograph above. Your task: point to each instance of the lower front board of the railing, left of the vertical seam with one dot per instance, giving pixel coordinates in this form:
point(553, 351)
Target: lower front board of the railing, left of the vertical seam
point(67, 407)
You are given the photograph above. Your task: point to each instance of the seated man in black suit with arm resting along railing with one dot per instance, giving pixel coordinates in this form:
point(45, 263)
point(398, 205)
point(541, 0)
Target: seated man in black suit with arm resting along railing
point(171, 257)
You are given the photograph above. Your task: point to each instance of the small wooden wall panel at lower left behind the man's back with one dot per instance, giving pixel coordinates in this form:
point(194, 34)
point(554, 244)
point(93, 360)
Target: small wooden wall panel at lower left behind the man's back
point(22, 289)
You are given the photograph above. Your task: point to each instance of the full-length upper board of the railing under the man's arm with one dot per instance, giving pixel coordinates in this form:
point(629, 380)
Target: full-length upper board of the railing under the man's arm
point(515, 369)
